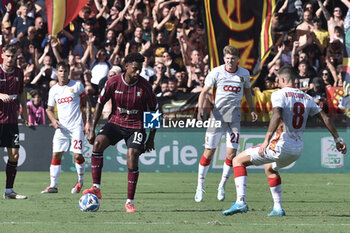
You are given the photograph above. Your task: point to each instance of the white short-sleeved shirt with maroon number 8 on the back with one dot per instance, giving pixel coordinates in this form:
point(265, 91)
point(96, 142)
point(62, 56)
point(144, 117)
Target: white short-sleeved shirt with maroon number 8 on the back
point(296, 107)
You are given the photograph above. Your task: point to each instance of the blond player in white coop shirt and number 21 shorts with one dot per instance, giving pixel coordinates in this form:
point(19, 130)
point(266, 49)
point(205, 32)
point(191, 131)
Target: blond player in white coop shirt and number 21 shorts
point(231, 82)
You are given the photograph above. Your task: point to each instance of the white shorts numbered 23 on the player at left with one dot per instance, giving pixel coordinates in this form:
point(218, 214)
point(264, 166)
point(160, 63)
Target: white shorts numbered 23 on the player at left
point(62, 138)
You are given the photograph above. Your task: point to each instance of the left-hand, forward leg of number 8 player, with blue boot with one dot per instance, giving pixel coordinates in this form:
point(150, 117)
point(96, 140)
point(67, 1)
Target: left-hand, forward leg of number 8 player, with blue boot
point(239, 163)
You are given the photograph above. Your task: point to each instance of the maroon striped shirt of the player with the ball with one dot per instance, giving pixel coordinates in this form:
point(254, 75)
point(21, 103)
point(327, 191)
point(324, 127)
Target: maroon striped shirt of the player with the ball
point(128, 101)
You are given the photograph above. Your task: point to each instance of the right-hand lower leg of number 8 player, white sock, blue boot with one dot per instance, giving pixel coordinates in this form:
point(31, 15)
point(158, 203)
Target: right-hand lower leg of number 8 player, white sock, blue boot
point(275, 184)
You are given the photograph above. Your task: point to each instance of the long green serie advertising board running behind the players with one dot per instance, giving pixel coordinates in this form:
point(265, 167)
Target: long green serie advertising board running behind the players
point(178, 151)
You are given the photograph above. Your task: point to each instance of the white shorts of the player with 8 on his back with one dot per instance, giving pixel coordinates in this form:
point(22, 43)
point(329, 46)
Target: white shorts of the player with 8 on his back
point(278, 158)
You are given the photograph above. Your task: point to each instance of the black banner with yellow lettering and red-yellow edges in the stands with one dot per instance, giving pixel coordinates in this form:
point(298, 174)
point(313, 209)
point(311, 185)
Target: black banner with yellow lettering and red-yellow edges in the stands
point(245, 25)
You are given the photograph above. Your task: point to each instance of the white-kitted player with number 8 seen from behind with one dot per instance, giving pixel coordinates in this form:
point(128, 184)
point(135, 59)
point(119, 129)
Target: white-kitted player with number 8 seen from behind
point(291, 108)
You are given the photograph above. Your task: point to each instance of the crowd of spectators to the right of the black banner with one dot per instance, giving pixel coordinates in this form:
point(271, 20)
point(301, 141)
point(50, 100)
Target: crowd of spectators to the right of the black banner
point(309, 36)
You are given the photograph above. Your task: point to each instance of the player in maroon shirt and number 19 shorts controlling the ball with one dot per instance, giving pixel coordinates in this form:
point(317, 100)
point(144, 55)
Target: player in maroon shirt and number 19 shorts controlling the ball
point(131, 95)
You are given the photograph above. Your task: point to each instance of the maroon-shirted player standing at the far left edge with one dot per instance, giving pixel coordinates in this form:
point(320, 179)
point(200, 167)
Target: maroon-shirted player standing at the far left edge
point(11, 91)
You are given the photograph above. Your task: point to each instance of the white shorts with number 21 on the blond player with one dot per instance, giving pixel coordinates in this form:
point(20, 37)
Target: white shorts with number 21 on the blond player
point(231, 130)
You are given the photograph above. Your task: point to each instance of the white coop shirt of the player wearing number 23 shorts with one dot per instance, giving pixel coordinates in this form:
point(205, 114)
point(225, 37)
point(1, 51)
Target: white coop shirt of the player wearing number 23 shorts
point(67, 98)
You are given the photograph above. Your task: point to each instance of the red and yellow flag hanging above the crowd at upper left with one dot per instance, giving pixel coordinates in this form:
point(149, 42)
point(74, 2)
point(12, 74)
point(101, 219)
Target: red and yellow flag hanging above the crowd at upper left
point(61, 12)
